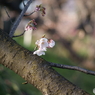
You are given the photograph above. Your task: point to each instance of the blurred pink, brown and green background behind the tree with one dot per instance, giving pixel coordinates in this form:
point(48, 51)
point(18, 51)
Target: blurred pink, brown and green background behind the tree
point(70, 23)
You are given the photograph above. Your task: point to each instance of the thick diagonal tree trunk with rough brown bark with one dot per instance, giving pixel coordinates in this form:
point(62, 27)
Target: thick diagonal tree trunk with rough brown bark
point(34, 69)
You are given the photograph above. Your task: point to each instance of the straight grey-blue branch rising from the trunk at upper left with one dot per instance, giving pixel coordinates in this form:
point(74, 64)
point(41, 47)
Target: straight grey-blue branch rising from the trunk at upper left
point(19, 18)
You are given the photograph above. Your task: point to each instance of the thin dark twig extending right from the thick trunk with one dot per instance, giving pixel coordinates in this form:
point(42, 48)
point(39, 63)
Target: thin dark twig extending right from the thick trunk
point(72, 68)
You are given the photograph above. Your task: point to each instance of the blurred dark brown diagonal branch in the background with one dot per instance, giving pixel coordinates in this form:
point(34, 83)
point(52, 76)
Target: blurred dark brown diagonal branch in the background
point(65, 43)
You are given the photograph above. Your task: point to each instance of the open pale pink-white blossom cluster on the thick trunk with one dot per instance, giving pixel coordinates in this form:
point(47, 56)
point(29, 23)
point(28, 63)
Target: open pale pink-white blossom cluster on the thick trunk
point(43, 44)
